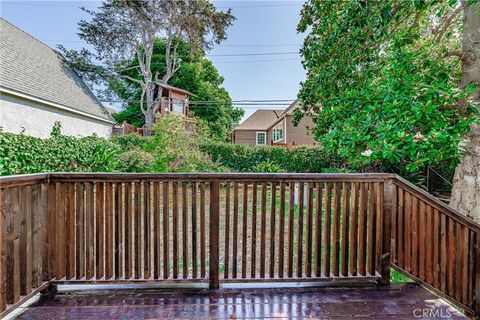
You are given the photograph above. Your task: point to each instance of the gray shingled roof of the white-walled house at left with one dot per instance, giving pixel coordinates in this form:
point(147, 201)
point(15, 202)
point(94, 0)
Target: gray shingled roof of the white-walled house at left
point(30, 67)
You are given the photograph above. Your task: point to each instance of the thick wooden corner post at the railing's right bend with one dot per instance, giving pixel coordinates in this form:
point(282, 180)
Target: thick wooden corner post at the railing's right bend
point(389, 203)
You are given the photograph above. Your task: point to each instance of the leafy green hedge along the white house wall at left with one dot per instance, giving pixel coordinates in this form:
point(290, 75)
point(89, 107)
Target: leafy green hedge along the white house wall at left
point(21, 154)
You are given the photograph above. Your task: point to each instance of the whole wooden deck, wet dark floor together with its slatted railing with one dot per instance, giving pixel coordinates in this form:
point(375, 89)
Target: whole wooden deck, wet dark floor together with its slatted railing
point(232, 245)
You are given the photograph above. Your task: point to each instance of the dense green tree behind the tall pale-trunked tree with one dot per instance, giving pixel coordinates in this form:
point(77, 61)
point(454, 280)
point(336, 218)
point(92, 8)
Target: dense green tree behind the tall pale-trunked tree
point(195, 74)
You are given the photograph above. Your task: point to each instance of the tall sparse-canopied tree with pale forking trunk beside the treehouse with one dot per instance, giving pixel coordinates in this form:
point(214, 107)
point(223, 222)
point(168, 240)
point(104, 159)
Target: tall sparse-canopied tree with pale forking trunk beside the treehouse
point(121, 29)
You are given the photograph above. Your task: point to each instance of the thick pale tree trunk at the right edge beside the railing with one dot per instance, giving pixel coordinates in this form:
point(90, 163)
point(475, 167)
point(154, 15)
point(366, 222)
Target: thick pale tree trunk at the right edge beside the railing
point(466, 182)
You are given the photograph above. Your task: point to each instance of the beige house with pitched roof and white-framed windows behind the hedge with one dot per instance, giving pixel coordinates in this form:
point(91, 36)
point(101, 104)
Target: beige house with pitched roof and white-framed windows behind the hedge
point(274, 127)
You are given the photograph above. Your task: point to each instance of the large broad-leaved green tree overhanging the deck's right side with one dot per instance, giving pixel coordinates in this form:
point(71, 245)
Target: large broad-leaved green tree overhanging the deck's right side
point(393, 84)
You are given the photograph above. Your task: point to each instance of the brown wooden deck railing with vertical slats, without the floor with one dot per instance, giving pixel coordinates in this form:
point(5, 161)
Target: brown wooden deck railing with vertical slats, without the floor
point(219, 228)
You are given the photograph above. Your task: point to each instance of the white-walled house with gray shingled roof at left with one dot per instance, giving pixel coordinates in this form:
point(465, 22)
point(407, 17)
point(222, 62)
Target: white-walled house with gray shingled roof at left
point(37, 88)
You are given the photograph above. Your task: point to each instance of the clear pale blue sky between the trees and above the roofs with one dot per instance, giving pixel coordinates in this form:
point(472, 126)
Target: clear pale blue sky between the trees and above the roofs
point(262, 27)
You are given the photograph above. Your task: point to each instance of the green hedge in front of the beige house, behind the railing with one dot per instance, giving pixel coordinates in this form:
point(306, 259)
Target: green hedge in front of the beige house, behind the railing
point(250, 158)
